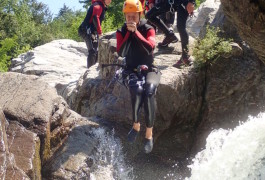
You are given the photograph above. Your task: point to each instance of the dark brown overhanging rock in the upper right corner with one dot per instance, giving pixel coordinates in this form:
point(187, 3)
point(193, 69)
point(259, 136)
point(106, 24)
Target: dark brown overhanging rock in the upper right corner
point(249, 19)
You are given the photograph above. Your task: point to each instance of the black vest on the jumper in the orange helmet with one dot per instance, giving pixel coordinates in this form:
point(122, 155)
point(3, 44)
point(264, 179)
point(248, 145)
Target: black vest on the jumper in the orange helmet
point(136, 55)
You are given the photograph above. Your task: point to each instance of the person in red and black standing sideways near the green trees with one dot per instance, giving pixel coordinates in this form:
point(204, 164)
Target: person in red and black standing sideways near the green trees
point(90, 29)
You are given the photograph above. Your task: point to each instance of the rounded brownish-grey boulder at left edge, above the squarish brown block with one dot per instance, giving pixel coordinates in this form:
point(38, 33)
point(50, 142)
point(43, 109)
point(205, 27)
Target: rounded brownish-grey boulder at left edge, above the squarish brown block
point(36, 105)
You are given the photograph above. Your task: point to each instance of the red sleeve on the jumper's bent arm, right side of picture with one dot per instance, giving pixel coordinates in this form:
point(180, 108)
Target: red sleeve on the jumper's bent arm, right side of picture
point(148, 43)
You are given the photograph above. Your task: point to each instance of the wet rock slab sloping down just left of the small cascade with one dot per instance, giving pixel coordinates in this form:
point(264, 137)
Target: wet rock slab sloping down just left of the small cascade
point(72, 160)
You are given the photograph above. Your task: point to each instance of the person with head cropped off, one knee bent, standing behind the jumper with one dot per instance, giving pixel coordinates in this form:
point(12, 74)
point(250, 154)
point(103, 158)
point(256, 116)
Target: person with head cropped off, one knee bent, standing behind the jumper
point(184, 8)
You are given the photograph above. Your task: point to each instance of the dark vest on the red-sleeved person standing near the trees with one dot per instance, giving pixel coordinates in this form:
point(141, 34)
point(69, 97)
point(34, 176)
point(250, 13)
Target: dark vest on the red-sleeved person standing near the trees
point(86, 23)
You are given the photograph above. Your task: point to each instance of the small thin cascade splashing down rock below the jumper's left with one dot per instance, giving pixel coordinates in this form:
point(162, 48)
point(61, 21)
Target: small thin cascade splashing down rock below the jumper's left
point(108, 158)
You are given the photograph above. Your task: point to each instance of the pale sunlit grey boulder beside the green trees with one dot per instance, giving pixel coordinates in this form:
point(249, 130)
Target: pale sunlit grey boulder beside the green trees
point(59, 63)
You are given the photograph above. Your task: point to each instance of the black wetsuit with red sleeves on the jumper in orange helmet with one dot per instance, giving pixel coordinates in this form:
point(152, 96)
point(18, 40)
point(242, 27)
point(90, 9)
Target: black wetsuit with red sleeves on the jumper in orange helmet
point(139, 51)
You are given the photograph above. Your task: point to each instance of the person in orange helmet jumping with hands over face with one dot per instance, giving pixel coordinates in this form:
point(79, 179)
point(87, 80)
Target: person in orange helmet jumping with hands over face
point(136, 42)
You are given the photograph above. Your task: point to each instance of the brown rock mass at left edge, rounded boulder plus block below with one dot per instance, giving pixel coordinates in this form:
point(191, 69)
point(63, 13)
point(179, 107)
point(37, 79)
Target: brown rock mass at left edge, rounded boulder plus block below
point(39, 123)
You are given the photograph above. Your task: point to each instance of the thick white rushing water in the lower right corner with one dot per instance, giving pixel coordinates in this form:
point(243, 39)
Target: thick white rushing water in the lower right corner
point(237, 154)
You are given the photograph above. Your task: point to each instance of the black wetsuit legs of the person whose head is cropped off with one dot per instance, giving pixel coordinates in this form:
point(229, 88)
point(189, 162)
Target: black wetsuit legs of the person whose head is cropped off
point(182, 15)
